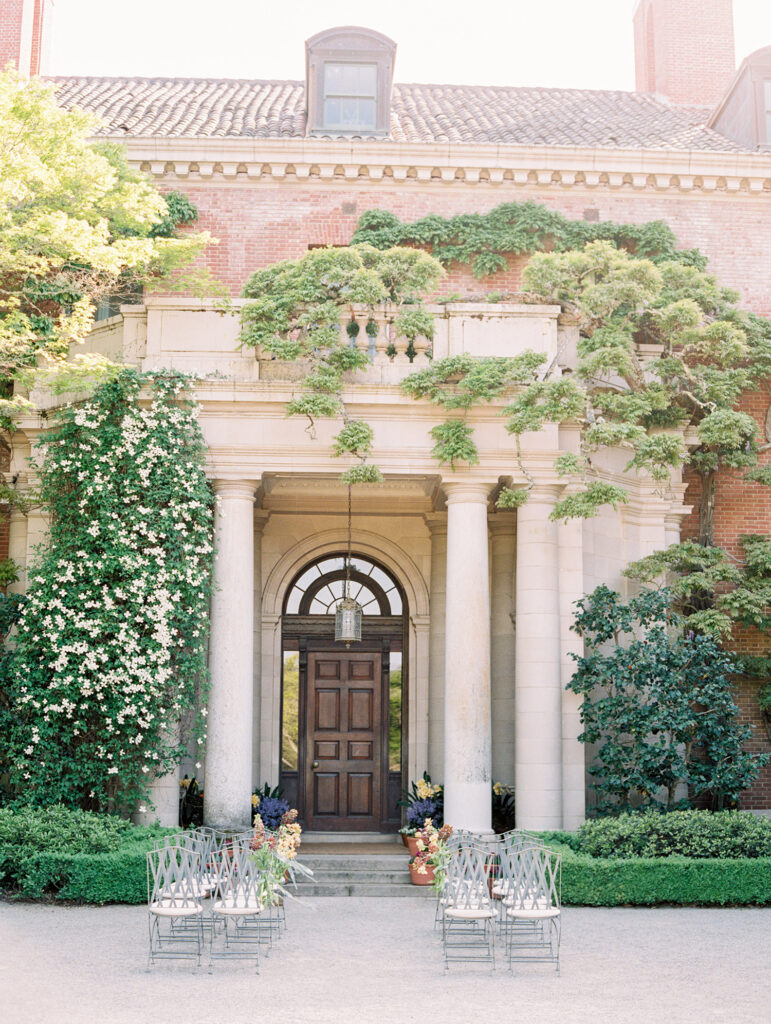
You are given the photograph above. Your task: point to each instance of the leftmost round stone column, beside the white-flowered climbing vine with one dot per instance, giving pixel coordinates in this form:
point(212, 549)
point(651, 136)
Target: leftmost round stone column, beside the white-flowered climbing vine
point(229, 747)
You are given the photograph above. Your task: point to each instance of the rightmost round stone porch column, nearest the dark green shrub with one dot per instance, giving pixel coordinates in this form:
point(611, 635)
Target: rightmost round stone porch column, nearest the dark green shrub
point(539, 732)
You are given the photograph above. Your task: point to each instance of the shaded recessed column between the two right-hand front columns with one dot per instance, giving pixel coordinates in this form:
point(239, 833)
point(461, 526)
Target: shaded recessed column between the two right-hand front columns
point(503, 649)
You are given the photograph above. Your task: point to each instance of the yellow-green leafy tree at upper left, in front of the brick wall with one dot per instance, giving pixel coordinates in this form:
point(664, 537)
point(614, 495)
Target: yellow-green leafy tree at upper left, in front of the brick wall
point(77, 224)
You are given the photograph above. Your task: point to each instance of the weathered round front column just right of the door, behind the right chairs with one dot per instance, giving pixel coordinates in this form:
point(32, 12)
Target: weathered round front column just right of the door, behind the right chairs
point(467, 690)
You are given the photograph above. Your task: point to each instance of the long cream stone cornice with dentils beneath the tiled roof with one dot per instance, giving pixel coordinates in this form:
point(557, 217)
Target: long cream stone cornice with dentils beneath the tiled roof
point(245, 160)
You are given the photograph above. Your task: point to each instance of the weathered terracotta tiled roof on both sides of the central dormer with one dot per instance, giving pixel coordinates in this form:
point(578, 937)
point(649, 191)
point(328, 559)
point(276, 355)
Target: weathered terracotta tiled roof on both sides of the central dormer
point(238, 108)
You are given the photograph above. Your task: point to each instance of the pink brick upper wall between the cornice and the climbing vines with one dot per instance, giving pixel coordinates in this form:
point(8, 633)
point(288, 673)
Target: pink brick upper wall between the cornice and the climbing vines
point(259, 224)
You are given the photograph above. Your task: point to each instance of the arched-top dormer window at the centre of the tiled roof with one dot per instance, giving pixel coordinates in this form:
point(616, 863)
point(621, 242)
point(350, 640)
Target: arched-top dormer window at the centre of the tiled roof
point(350, 72)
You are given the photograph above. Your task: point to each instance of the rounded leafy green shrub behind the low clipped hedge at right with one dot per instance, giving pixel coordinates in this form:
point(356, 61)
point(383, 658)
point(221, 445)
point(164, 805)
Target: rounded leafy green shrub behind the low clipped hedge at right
point(698, 835)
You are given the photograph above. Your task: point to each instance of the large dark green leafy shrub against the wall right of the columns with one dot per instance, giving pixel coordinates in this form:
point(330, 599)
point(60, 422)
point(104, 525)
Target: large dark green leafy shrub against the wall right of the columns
point(659, 705)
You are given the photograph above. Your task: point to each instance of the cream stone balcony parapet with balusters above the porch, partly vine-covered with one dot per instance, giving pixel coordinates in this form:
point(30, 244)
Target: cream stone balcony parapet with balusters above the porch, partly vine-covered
point(195, 337)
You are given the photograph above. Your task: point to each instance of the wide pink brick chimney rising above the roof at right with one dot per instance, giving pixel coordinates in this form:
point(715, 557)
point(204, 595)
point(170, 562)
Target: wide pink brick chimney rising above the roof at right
point(684, 50)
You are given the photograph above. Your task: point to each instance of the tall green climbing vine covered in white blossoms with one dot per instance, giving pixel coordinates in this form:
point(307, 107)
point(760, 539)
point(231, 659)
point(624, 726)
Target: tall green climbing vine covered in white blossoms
point(111, 651)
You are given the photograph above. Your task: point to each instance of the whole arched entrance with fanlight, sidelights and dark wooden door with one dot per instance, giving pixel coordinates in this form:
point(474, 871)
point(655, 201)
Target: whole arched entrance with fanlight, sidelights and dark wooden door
point(344, 711)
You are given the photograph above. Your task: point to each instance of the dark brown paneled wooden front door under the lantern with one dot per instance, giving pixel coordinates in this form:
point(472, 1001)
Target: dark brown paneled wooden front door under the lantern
point(345, 772)
